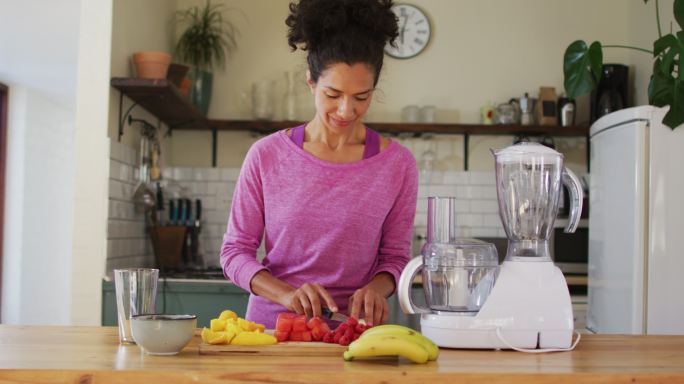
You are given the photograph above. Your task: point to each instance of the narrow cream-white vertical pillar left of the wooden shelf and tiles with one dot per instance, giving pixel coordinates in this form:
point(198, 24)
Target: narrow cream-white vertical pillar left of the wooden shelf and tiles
point(91, 162)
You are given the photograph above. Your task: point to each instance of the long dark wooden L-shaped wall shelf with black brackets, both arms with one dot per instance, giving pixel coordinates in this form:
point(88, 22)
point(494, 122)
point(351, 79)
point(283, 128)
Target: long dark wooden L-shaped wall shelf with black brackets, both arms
point(162, 99)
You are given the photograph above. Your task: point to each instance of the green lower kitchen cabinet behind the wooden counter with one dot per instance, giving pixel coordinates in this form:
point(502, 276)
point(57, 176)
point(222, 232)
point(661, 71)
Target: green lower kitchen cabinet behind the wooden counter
point(207, 298)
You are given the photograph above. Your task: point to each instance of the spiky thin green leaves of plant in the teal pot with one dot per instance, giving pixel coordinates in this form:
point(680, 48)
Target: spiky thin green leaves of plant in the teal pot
point(208, 37)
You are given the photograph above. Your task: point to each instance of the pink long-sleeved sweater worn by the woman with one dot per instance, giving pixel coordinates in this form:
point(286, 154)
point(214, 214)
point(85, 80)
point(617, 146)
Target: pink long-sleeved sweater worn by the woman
point(335, 224)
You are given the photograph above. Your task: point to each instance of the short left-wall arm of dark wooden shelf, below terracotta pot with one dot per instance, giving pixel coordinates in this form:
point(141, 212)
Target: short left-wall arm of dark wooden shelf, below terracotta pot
point(162, 99)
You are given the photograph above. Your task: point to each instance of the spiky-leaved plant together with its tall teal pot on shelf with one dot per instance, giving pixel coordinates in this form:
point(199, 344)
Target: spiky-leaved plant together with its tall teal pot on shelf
point(207, 39)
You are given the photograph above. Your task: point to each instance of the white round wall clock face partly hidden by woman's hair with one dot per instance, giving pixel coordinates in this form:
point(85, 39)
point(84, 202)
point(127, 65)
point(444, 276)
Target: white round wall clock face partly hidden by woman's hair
point(414, 32)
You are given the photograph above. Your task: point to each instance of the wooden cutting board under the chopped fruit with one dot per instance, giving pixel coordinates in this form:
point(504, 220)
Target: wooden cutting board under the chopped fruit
point(288, 348)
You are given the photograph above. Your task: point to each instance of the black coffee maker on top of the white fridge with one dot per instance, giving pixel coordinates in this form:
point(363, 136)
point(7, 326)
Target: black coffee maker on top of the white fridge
point(611, 94)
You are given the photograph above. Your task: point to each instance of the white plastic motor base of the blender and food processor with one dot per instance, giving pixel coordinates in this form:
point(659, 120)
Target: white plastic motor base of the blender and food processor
point(529, 307)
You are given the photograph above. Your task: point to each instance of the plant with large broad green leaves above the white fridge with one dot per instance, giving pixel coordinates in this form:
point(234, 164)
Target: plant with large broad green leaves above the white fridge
point(583, 64)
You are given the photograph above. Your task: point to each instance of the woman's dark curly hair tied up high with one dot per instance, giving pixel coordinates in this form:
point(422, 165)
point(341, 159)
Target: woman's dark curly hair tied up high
point(341, 31)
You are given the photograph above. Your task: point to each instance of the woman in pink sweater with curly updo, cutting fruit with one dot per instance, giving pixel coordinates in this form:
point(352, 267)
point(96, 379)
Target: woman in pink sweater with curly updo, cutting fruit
point(333, 201)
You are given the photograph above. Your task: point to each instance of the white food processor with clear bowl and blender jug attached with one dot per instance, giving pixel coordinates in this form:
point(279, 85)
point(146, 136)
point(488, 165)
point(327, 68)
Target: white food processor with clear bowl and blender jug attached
point(522, 304)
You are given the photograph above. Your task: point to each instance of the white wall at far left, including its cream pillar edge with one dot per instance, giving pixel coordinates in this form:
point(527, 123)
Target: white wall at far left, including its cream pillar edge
point(57, 127)
